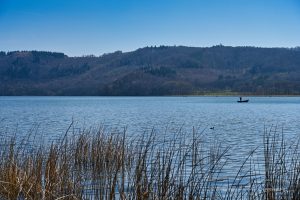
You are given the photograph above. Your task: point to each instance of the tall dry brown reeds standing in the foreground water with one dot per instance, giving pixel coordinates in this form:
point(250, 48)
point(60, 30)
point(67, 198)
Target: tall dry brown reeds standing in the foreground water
point(96, 164)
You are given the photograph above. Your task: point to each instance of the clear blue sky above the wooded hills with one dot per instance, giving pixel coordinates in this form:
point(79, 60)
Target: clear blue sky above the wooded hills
point(81, 27)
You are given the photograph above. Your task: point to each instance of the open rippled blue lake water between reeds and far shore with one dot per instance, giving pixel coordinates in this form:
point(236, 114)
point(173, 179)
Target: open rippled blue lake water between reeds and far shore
point(235, 124)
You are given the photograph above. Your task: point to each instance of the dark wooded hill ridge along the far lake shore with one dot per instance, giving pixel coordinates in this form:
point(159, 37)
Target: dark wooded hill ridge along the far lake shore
point(153, 71)
